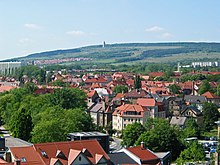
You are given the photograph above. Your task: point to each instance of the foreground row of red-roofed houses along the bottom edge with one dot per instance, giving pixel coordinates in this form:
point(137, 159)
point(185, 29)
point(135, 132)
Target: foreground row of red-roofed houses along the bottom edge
point(81, 152)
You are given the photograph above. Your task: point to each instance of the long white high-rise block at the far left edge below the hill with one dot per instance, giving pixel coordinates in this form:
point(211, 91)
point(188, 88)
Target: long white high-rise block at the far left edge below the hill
point(9, 67)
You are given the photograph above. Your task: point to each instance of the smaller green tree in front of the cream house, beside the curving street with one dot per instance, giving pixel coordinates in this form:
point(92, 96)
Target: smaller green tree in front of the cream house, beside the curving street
point(131, 133)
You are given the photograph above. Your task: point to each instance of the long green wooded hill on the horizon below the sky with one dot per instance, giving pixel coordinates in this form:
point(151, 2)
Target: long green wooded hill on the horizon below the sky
point(136, 52)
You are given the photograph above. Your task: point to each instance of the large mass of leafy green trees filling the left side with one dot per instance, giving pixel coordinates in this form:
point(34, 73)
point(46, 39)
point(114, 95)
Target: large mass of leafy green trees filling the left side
point(44, 118)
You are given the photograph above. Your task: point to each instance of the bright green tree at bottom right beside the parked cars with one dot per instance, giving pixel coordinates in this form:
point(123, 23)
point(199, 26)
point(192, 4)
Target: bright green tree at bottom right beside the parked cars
point(195, 153)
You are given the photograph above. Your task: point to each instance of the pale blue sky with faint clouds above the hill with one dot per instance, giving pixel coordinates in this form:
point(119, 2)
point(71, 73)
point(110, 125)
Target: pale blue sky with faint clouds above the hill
point(33, 26)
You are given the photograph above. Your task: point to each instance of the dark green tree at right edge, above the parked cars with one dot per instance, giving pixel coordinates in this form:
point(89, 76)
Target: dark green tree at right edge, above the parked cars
point(210, 116)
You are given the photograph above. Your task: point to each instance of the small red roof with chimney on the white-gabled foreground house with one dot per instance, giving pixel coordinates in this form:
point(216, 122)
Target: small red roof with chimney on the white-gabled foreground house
point(144, 154)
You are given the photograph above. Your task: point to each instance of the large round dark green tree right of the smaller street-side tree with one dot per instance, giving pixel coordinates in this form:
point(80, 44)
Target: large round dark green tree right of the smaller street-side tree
point(161, 137)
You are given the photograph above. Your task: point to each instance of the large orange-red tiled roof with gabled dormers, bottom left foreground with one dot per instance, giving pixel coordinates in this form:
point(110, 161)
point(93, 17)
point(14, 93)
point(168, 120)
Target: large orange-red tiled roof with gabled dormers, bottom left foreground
point(46, 153)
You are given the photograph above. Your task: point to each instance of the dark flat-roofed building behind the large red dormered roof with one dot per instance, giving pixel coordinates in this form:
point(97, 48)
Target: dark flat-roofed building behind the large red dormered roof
point(102, 138)
